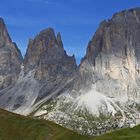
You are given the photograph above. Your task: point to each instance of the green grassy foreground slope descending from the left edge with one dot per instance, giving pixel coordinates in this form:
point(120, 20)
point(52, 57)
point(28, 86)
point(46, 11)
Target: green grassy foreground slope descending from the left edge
point(16, 127)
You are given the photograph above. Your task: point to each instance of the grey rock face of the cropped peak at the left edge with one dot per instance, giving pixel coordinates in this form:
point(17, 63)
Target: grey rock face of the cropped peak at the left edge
point(10, 58)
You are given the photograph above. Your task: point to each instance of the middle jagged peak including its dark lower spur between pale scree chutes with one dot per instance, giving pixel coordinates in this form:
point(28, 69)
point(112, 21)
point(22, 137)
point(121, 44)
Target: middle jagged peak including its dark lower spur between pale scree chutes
point(47, 57)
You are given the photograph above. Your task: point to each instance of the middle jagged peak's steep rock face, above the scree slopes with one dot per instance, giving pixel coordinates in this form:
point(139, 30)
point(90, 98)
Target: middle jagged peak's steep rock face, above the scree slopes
point(46, 54)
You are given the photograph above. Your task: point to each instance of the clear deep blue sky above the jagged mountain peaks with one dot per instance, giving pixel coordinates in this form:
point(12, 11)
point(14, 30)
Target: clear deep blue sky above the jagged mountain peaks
point(77, 20)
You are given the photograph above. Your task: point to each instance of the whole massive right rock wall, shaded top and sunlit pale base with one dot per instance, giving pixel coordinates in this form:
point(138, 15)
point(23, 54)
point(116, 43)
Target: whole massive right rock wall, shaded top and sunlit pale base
point(113, 56)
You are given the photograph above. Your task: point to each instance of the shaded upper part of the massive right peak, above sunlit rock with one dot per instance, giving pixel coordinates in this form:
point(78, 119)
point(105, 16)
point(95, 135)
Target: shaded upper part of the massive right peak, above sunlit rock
point(123, 27)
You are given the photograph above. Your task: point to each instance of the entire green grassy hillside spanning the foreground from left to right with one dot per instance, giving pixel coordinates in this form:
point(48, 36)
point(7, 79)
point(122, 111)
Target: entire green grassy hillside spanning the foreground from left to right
point(16, 127)
